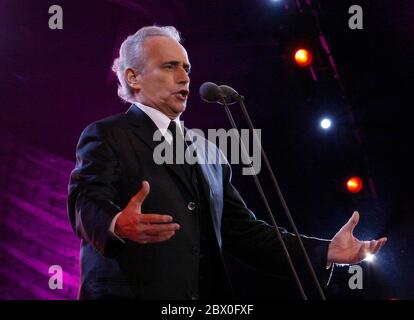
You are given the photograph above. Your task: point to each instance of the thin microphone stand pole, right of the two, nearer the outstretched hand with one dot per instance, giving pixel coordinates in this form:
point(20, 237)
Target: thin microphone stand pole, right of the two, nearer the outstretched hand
point(240, 100)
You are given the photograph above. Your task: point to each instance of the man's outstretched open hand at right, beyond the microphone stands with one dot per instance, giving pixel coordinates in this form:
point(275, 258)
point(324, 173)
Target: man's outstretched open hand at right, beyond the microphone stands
point(345, 248)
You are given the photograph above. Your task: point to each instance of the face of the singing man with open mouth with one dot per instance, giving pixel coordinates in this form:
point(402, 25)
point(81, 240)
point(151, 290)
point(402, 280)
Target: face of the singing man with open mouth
point(164, 81)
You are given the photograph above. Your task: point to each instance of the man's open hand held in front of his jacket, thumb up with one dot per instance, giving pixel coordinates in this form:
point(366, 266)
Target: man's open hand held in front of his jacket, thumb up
point(144, 227)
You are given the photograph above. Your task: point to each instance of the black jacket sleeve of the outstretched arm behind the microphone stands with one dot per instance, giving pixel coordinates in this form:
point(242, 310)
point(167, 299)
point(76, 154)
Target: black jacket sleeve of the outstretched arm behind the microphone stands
point(255, 242)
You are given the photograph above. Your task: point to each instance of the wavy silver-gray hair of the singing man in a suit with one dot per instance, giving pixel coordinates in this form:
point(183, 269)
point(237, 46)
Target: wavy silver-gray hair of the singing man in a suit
point(130, 55)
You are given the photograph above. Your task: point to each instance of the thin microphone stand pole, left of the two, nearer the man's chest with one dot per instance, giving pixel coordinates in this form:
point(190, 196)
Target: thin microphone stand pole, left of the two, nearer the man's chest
point(269, 211)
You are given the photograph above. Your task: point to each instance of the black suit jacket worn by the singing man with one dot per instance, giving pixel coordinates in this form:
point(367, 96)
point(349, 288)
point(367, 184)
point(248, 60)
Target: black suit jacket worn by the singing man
point(114, 156)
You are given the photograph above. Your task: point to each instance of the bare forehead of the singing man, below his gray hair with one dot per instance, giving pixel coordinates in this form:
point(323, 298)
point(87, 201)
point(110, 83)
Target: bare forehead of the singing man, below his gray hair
point(164, 49)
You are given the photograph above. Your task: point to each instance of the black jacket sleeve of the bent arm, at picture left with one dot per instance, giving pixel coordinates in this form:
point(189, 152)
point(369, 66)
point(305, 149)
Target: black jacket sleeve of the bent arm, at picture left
point(92, 190)
